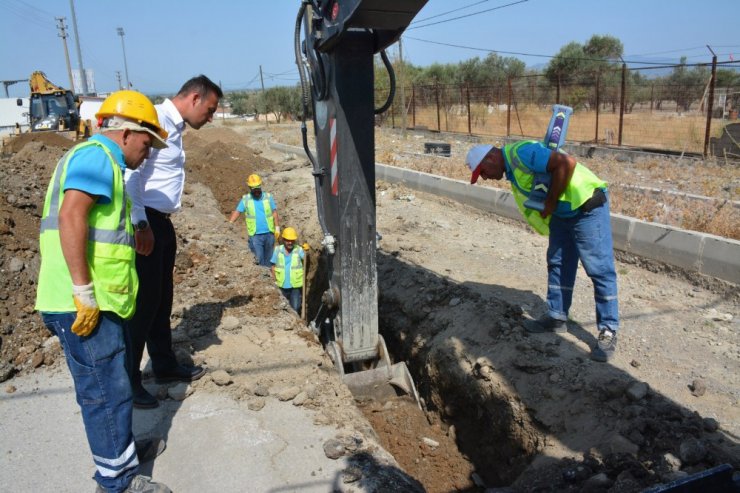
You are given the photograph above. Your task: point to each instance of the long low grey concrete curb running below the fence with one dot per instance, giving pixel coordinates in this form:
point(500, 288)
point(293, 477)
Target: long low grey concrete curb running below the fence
point(699, 252)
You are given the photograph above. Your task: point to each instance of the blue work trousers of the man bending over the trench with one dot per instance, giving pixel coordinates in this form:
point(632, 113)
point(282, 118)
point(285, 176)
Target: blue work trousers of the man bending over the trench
point(588, 237)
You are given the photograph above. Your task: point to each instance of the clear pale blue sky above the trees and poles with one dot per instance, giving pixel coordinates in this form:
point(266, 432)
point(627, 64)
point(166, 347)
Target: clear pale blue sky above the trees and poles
point(166, 43)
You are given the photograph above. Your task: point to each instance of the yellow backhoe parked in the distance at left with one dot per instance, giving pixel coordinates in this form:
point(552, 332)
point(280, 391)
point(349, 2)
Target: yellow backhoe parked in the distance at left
point(53, 108)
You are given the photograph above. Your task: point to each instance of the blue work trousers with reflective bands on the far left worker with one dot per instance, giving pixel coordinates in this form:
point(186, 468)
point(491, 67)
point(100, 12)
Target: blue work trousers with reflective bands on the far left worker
point(98, 367)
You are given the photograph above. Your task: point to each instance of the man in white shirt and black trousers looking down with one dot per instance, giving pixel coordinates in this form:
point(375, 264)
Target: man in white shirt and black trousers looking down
point(155, 190)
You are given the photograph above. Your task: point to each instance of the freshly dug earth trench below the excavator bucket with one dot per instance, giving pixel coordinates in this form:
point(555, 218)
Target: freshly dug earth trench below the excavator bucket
point(472, 432)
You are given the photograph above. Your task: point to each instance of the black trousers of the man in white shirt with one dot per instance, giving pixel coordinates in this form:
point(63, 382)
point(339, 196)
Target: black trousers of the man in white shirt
point(150, 324)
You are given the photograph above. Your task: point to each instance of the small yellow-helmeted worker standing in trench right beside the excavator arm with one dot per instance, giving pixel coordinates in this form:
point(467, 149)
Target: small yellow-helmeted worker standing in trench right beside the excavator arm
point(288, 258)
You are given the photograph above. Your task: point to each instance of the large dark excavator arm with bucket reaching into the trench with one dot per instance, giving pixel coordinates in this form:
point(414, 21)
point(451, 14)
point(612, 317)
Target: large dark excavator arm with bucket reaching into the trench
point(335, 61)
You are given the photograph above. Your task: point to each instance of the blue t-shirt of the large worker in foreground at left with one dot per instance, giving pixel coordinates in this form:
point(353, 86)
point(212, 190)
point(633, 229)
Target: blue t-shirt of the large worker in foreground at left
point(89, 169)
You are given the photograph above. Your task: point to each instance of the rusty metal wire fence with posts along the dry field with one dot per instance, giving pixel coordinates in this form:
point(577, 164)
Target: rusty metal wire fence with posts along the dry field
point(615, 108)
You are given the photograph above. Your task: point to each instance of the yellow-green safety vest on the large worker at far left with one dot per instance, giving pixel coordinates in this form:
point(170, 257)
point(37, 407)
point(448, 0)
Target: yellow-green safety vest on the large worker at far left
point(110, 248)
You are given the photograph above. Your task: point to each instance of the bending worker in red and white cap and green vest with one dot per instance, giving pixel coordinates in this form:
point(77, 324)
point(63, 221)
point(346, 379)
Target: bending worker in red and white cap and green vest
point(576, 217)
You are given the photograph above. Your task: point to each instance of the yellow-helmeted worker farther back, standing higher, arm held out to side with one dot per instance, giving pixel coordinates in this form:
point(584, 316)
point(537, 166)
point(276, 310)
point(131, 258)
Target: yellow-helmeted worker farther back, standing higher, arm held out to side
point(262, 220)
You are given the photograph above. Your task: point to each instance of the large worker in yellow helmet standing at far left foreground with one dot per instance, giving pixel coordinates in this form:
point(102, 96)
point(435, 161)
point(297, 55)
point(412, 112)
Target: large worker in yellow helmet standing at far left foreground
point(87, 282)
